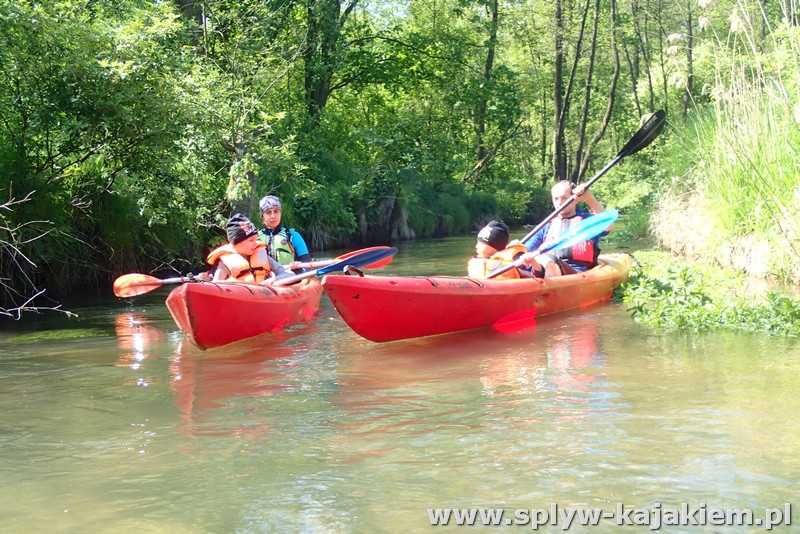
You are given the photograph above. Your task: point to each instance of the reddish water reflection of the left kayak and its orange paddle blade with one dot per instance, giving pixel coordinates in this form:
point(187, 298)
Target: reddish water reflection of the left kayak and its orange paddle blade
point(207, 386)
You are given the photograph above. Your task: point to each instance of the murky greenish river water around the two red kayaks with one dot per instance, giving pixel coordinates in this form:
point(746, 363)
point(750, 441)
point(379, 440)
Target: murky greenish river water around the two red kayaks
point(112, 422)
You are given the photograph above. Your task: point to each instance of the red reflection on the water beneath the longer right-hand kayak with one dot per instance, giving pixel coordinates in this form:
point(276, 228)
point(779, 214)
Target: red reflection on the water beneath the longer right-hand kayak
point(560, 353)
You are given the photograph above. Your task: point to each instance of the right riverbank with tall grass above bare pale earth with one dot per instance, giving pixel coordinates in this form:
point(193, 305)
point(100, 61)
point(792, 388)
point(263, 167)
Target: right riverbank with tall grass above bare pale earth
point(729, 193)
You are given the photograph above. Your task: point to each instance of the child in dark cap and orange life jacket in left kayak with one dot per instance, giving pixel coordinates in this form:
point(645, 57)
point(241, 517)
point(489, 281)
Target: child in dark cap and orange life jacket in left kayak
point(244, 258)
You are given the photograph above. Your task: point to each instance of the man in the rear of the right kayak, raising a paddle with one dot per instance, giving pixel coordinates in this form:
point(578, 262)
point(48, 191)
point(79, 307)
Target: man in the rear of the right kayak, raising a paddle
point(576, 259)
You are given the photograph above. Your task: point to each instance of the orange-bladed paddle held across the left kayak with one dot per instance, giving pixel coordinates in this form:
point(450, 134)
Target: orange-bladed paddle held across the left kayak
point(135, 284)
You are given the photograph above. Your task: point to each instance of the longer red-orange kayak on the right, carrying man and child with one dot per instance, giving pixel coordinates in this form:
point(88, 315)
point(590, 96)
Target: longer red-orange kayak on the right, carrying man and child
point(387, 308)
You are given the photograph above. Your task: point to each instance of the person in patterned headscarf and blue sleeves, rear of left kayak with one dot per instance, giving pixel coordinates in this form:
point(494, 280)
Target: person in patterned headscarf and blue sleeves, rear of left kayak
point(283, 244)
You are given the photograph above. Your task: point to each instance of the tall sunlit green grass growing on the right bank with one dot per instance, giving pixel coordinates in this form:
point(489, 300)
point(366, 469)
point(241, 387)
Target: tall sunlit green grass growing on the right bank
point(745, 148)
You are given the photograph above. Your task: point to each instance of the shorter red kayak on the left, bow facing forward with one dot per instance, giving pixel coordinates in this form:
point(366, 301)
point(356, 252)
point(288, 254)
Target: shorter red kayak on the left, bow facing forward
point(214, 314)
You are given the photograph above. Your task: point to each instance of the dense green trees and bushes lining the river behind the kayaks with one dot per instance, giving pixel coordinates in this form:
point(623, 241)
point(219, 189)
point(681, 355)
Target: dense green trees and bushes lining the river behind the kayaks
point(138, 126)
